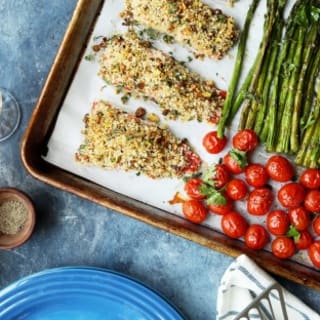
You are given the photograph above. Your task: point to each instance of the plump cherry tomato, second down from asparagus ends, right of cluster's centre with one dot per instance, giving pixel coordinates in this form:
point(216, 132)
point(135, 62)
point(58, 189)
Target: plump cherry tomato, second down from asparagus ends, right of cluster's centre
point(291, 195)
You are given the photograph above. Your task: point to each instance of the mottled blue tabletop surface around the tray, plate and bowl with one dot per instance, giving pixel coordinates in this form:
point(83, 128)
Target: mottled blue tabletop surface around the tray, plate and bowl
point(71, 231)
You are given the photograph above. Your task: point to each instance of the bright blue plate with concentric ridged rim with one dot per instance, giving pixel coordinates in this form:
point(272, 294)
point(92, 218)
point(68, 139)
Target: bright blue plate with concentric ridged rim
point(80, 293)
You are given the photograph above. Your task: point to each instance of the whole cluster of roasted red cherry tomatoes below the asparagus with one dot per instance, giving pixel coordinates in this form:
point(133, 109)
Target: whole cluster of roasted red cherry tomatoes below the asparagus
point(288, 227)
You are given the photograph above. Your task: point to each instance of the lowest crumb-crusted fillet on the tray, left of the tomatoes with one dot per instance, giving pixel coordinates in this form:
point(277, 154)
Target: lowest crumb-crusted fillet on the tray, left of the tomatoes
point(114, 139)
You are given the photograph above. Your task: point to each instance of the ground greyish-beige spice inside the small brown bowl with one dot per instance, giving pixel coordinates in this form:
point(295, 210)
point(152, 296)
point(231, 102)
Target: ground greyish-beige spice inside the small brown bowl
point(13, 215)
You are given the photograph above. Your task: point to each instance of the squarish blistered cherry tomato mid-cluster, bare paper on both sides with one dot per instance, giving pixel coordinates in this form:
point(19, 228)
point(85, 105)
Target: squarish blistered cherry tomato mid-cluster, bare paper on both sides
point(259, 201)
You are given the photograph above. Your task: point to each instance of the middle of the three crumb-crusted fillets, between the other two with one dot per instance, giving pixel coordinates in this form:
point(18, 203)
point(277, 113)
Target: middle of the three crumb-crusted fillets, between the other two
point(139, 69)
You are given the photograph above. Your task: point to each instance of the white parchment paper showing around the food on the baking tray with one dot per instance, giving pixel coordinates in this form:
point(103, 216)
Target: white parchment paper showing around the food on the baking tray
point(87, 87)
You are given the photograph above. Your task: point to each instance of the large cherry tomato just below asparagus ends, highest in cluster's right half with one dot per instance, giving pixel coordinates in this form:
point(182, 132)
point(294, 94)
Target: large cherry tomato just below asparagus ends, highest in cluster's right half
point(279, 169)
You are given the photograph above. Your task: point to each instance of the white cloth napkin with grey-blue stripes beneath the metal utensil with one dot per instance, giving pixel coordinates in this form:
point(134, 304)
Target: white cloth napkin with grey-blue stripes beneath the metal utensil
point(243, 281)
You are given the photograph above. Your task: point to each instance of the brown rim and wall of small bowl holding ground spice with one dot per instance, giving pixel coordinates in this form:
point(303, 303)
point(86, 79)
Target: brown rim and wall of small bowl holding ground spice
point(9, 241)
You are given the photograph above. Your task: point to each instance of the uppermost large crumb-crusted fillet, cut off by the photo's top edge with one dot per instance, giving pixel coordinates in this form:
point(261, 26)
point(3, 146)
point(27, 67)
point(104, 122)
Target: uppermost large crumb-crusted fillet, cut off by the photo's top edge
point(208, 31)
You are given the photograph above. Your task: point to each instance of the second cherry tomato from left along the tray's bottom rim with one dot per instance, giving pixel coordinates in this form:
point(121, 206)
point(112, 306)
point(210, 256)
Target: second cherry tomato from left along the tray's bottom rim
point(234, 224)
